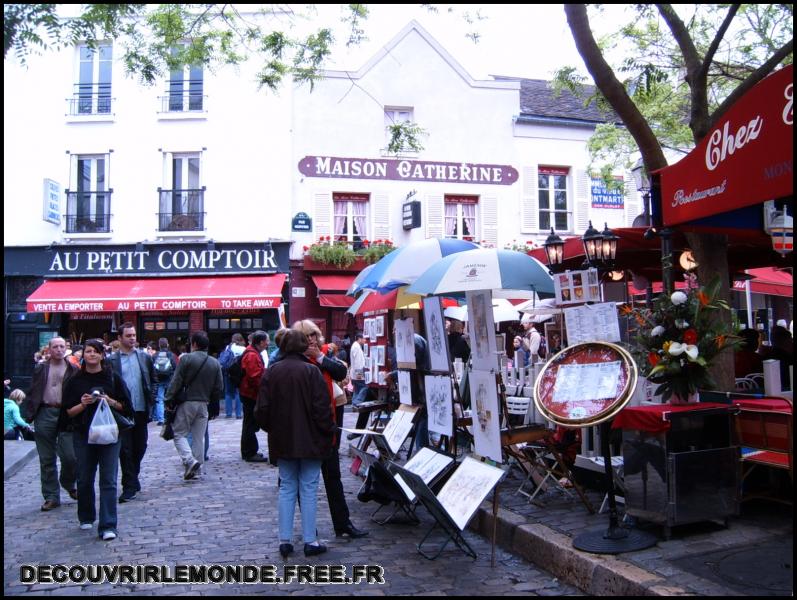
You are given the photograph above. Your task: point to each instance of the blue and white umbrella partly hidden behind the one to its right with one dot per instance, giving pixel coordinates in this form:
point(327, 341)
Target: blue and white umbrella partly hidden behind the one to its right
point(405, 264)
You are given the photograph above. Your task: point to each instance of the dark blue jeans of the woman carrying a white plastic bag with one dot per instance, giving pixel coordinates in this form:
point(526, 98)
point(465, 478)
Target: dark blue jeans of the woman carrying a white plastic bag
point(89, 457)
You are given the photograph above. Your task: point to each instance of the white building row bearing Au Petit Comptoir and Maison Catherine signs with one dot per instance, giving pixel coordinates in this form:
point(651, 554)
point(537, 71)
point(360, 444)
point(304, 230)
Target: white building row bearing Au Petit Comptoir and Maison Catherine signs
point(201, 175)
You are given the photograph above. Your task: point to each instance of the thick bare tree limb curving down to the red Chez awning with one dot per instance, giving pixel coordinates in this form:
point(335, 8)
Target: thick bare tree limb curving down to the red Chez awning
point(612, 89)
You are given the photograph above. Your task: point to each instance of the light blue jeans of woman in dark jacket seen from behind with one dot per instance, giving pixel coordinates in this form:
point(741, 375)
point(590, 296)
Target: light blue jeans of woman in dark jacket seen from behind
point(298, 476)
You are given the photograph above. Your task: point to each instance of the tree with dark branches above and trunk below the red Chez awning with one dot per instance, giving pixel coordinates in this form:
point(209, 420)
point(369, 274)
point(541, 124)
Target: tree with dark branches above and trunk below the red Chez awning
point(716, 71)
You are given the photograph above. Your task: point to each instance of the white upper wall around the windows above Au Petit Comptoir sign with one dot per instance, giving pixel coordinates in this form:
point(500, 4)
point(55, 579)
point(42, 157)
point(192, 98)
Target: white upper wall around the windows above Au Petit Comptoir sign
point(244, 137)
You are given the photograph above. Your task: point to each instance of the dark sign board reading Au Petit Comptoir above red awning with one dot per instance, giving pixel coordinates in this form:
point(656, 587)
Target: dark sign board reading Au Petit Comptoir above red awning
point(167, 259)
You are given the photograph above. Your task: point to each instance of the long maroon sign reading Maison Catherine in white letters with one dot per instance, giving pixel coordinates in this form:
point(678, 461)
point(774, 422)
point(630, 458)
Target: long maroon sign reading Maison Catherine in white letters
point(407, 170)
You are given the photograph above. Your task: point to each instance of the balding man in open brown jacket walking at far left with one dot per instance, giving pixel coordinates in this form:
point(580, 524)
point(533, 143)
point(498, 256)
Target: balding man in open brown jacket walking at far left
point(42, 407)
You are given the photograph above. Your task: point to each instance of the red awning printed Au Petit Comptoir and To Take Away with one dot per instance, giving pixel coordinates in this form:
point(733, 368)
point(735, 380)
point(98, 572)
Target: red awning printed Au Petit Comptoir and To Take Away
point(184, 293)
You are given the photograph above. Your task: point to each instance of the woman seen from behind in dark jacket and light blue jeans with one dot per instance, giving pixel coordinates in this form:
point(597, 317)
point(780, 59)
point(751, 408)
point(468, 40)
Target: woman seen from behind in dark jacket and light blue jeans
point(294, 400)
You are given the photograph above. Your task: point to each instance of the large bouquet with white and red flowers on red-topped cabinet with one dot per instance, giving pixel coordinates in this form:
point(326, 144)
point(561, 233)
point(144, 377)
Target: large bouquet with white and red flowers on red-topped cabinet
point(678, 339)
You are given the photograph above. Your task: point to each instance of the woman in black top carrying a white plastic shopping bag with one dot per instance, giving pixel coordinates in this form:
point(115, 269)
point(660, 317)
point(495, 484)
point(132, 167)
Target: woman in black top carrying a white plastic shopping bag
point(90, 398)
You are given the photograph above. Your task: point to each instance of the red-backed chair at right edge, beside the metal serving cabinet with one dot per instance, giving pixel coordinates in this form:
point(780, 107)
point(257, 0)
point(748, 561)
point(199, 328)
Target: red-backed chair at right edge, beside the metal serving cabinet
point(768, 434)
